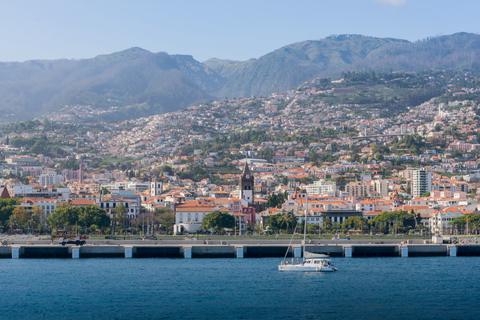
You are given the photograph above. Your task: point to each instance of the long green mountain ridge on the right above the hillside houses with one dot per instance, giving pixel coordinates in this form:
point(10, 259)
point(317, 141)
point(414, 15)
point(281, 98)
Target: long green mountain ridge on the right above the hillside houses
point(291, 65)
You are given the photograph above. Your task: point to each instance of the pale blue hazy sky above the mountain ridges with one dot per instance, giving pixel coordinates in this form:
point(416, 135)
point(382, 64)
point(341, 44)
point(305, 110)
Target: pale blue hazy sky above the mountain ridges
point(227, 29)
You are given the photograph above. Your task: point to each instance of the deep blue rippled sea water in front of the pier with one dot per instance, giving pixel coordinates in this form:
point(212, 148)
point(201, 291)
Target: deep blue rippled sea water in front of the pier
point(363, 288)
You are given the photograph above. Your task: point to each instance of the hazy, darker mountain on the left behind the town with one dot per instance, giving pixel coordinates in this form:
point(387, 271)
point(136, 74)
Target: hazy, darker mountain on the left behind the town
point(139, 82)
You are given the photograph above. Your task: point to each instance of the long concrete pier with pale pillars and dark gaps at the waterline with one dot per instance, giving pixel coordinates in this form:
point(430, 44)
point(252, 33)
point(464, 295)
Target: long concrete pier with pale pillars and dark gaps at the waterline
point(225, 250)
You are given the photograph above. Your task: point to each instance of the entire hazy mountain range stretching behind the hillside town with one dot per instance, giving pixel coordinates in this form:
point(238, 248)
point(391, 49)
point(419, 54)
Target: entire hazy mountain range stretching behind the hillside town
point(141, 83)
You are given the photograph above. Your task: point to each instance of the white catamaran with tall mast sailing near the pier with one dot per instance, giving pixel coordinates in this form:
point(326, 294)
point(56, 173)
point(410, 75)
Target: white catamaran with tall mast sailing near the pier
point(306, 265)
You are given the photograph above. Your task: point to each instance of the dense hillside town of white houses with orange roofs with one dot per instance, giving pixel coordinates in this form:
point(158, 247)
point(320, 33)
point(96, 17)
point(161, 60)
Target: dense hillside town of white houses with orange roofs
point(438, 181)
